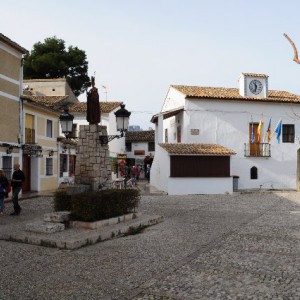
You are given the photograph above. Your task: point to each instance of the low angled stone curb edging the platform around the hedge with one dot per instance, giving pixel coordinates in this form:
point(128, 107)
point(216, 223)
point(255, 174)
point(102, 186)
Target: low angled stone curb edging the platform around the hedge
point(86, 237)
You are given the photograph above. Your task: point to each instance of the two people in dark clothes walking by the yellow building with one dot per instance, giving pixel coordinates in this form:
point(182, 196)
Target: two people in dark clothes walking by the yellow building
point(16, 181)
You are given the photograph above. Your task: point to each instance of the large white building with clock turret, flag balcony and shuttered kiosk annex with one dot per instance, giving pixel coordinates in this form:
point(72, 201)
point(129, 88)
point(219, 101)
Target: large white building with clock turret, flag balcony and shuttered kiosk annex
point(210, 118)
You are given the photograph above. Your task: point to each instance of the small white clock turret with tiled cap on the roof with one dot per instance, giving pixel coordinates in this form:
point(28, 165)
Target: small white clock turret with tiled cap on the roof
point(253, 85)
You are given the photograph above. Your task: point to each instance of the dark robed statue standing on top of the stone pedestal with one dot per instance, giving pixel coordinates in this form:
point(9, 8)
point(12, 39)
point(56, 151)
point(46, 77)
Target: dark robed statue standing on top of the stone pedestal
point(93, 105)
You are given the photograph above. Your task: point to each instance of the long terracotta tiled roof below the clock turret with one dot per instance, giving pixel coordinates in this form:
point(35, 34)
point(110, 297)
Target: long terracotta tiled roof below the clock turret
point(233, 94)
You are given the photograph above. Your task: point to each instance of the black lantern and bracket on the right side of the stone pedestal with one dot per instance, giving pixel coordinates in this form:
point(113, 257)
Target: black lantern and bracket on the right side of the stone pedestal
point(122, 118)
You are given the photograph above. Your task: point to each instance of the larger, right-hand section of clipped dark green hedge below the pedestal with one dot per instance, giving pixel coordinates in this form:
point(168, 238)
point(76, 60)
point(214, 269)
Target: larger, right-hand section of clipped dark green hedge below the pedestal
point(99, 205)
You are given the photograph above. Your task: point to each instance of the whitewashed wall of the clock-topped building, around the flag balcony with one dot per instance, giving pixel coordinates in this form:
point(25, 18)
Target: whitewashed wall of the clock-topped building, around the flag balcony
point(227, 123)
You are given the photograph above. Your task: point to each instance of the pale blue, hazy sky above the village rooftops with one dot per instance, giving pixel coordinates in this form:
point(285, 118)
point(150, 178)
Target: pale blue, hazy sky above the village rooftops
point(138, 48)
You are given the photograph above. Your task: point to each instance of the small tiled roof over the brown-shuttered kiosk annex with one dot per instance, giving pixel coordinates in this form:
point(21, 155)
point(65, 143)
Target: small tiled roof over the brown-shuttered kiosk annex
point(196, 149)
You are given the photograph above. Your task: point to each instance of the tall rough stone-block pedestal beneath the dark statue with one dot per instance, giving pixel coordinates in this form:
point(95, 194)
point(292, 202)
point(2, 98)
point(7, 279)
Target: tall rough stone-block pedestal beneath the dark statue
point(93, 166)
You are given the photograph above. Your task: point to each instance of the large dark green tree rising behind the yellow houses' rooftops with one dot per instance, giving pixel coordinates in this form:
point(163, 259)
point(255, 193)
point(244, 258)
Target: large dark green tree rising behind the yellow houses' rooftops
point(51, 60)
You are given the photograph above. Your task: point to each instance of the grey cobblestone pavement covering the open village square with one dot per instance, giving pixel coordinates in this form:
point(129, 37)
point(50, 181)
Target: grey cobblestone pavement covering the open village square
point(241, 246)
